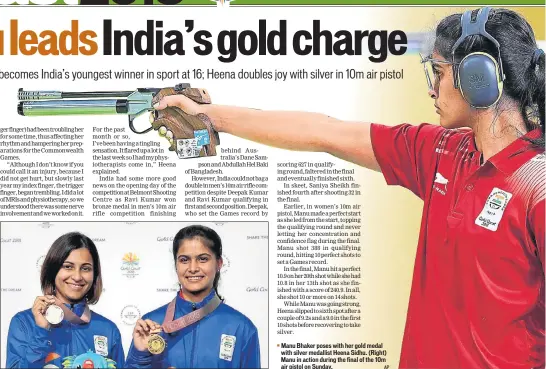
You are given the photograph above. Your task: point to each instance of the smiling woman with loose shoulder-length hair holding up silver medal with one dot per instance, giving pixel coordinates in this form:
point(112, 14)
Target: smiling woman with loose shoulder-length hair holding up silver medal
point(60, 330)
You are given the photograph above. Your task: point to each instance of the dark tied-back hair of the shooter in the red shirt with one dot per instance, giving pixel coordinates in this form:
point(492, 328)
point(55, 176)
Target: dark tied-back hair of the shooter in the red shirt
point(524, 81)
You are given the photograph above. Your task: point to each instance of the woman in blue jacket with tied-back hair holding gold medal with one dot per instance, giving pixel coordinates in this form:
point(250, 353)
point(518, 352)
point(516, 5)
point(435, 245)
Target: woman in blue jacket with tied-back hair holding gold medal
point(196, 329)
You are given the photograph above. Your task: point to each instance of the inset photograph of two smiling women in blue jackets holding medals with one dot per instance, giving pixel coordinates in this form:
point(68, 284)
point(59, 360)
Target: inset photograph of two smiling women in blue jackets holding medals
point(134, 294)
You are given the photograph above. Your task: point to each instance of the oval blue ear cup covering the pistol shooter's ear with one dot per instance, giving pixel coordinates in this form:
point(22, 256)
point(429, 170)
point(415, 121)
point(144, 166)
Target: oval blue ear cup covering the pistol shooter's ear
point(479, 80)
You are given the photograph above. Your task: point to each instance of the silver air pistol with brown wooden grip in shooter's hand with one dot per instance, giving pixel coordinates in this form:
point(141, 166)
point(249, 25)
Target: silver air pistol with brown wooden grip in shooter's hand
point(189, 136)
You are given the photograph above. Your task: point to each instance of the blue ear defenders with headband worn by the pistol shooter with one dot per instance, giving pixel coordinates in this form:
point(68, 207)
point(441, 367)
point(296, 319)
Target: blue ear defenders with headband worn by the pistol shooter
point(479, 76)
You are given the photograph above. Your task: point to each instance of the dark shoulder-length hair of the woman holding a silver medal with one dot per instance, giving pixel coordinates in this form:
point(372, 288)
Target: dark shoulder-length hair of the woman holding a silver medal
point(56, 256)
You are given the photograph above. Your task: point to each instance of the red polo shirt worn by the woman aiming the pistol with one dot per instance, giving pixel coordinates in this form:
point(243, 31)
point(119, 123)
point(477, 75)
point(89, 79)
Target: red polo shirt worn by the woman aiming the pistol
point(477, 298)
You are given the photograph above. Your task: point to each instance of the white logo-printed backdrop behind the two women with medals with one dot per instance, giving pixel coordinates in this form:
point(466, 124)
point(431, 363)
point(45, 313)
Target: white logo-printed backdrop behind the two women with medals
point(131, 290)
